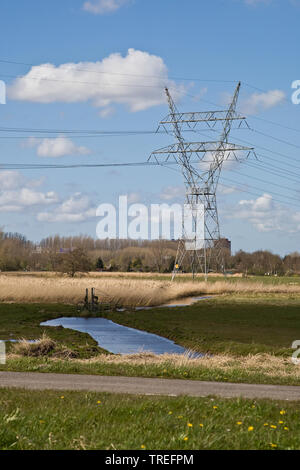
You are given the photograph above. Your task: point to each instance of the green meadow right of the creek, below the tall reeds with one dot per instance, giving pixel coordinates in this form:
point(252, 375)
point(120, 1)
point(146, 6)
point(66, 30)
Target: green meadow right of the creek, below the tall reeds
point(233, 324)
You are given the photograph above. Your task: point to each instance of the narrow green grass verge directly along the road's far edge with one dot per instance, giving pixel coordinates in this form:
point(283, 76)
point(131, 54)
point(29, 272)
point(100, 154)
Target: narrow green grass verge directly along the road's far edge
point(236, 374)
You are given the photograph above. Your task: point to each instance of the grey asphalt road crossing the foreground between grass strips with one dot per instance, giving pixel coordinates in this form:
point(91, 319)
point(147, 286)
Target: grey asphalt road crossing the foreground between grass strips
point(145, 386)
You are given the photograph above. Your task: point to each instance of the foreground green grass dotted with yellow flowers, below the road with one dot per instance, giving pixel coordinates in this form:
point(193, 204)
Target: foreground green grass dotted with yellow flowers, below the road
point(45, 420)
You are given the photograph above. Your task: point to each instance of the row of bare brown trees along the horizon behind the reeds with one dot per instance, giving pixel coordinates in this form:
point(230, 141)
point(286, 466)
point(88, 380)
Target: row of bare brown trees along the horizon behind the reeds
point(54, 253)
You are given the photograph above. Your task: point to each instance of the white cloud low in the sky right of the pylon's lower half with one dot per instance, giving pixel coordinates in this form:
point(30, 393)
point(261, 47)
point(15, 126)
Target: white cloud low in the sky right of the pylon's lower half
point(266, 215)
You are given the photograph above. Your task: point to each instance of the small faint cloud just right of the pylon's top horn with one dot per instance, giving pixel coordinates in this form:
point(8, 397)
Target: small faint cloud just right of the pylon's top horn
point(262, 101)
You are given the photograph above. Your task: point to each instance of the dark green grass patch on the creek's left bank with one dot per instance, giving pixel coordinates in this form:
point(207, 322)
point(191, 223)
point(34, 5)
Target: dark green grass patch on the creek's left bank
point(19, 321)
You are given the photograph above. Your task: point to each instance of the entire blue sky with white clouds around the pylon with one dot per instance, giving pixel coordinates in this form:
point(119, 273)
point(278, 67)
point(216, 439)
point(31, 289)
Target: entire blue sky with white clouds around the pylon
point(200, 50)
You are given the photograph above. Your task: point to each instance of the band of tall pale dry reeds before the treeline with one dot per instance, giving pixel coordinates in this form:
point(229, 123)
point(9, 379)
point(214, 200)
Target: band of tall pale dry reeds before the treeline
point(128, 292)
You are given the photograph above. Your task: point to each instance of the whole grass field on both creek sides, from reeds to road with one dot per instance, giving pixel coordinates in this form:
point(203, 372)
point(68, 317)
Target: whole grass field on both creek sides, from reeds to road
point(249, 338)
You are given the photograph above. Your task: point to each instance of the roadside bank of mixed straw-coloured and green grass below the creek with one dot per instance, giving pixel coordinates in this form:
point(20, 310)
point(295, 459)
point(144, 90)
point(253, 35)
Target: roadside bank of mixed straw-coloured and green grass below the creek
point(263, 368)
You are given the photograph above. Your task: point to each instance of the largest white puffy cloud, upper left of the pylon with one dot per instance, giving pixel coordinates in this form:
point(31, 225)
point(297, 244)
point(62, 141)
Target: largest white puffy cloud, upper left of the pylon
point(136, 81)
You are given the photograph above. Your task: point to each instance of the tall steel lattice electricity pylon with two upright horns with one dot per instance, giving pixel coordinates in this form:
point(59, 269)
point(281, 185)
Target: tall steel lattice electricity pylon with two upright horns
point(201, 184)
